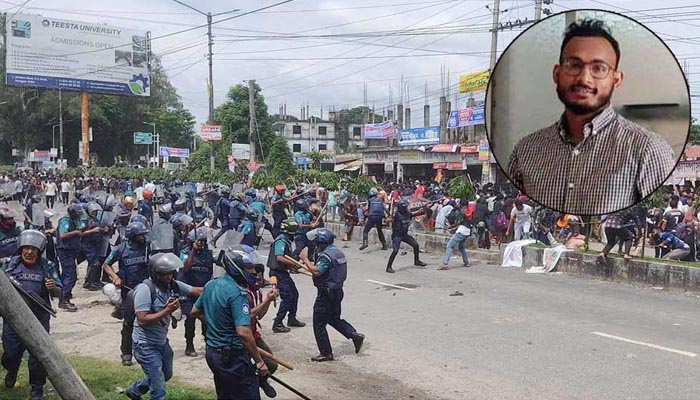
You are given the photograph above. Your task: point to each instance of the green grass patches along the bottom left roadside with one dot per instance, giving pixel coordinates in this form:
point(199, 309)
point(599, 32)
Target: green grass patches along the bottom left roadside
point(104, 378)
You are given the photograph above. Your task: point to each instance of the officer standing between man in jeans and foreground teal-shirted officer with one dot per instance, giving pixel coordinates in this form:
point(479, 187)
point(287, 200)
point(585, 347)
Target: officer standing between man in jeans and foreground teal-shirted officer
point(197, 271)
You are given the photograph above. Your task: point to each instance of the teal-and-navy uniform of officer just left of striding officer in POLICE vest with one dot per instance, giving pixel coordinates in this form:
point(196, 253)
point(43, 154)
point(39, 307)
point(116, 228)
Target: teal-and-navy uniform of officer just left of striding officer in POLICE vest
point(285, 284)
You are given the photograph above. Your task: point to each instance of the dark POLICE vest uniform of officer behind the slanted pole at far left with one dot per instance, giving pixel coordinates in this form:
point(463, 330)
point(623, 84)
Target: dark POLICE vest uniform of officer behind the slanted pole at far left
point(32, 280)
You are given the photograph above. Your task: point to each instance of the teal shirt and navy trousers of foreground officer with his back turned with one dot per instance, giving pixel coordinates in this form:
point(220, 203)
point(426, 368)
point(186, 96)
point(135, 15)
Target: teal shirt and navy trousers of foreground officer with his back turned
point(225, 306)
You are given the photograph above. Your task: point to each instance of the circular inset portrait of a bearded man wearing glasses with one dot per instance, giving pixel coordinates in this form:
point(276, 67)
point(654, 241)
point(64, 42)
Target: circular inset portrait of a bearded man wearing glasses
point(587, 112)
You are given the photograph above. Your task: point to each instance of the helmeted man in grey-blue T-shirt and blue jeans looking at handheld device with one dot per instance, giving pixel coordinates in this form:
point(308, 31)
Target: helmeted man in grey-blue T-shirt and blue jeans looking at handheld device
point(155, 300)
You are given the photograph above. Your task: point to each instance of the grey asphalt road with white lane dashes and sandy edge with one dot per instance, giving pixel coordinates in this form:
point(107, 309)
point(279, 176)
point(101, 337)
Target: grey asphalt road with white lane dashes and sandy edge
point(511, 335)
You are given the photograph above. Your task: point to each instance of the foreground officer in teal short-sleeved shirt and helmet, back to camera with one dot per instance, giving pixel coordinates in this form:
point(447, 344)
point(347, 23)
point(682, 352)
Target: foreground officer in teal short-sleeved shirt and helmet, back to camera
point(230, 342)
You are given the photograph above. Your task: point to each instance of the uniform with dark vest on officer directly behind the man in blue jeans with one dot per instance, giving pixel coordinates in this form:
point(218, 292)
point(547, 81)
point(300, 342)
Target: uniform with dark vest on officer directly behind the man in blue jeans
point(133, 269)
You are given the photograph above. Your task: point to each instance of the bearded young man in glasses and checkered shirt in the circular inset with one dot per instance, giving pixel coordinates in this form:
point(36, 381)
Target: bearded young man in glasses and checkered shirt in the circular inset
point(592, 161)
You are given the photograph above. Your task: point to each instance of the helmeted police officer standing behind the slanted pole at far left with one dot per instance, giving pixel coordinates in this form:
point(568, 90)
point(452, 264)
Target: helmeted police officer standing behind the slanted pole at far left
point(39, 276)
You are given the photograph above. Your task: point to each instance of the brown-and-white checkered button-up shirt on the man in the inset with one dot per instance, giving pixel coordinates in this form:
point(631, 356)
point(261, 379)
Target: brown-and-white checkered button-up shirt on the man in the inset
point(617, 164)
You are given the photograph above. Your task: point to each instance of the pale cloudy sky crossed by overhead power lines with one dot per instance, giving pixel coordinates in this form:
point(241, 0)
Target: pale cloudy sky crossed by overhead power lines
point(324, 52)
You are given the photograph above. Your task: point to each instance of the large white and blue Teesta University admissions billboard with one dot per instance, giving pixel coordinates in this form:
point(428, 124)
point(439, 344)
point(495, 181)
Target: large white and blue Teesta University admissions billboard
point(56, 53)
